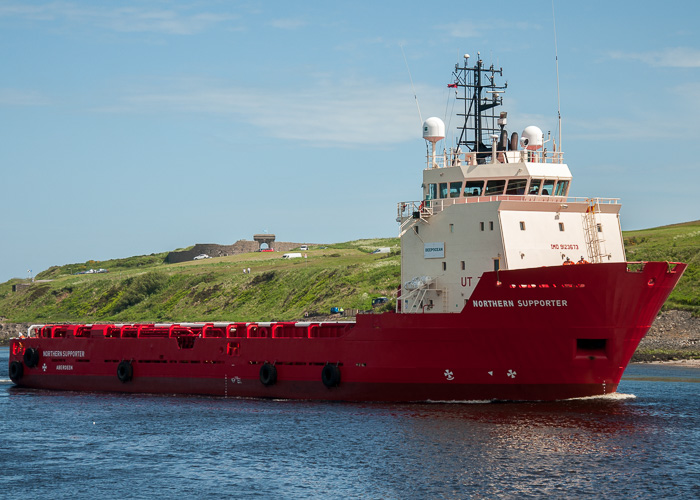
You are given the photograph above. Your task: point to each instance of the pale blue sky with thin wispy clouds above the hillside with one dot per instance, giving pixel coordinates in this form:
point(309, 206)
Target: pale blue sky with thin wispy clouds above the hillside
point(129, 128)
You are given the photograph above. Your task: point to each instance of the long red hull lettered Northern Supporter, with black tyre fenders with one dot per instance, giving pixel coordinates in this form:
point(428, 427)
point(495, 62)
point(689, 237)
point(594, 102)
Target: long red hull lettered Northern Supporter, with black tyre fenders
point(532, 334)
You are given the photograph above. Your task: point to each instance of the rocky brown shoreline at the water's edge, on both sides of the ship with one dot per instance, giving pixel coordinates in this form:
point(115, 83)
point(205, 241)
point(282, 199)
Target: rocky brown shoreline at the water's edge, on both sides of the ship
point(675, 335)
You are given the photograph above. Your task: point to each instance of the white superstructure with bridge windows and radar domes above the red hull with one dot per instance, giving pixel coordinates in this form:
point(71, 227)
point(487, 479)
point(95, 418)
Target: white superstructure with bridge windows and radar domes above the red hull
point(503, 207)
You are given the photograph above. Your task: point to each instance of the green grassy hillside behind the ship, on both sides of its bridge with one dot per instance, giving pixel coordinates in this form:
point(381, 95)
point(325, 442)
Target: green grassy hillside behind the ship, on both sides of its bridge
point(346, 275)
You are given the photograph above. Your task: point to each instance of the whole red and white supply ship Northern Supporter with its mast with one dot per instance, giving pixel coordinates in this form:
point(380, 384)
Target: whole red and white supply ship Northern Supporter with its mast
point(489, 308)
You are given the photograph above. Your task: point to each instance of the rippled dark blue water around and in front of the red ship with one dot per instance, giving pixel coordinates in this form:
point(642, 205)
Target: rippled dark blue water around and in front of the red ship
point(642, 443)
